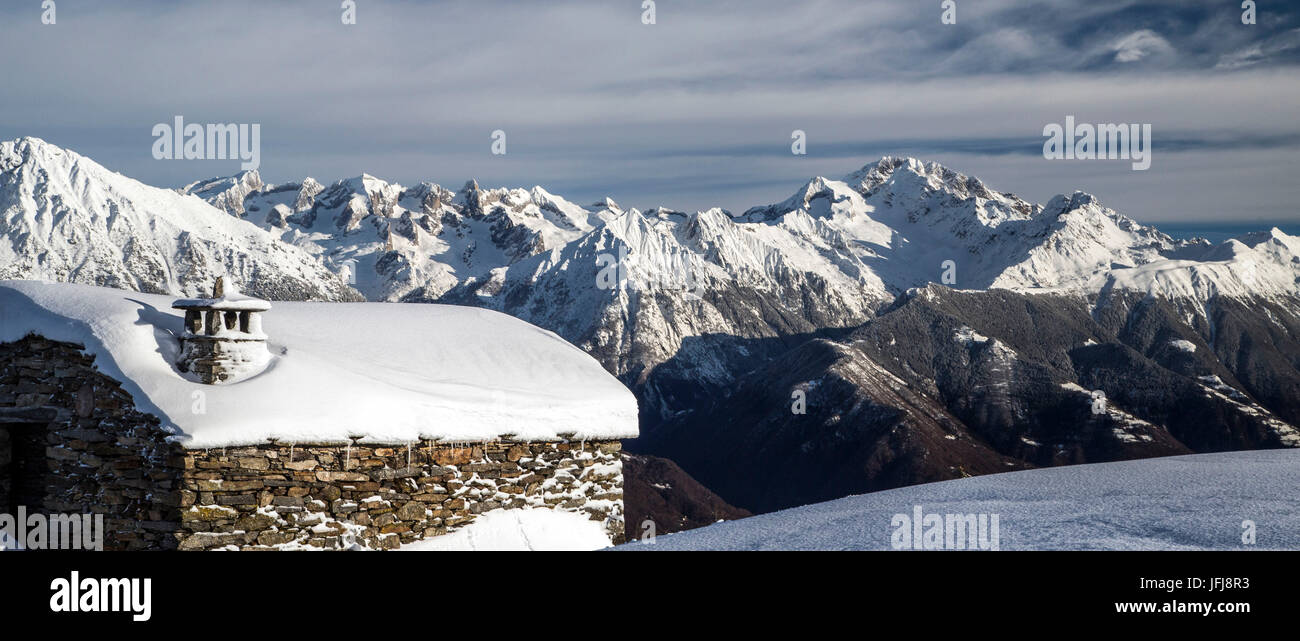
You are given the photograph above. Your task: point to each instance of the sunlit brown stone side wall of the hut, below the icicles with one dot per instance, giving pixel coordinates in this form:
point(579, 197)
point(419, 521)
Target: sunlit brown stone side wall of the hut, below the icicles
point(340, 497)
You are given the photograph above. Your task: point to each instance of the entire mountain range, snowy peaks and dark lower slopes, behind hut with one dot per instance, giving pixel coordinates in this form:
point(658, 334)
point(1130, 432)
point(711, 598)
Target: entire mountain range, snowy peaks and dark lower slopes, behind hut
point(937, 328)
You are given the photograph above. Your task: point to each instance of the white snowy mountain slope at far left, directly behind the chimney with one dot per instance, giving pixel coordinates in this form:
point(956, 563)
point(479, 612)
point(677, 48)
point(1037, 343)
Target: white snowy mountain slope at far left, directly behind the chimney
point(66, 218)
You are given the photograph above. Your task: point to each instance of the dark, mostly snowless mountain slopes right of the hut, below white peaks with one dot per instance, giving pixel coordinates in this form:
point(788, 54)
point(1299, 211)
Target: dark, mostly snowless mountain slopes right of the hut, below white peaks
point(947, 384)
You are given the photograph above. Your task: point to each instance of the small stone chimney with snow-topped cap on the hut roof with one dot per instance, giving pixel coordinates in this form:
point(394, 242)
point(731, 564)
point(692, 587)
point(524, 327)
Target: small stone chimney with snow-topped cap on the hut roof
point(223, 340)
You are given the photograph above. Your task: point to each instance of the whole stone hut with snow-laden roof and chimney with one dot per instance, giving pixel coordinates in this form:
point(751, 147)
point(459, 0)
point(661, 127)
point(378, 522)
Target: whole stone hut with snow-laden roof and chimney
point(345, 426)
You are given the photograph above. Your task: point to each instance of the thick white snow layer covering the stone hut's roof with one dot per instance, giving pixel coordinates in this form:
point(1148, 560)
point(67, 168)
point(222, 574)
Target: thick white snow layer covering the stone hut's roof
point(387, 373)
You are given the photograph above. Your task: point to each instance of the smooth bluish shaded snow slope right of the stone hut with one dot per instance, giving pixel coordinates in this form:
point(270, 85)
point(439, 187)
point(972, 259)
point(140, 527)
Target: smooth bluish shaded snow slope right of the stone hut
point(1169, 504)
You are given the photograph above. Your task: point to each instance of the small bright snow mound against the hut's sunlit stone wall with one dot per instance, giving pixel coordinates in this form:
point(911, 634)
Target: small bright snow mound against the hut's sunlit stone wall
point(521, 530)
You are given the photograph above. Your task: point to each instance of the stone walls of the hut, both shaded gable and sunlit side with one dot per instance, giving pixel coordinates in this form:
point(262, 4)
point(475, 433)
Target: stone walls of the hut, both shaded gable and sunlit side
point(107, 458)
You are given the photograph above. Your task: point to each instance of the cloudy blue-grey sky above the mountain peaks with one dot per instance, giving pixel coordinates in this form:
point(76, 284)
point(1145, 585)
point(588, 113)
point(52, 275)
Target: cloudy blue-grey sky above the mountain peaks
point(695, 111)
